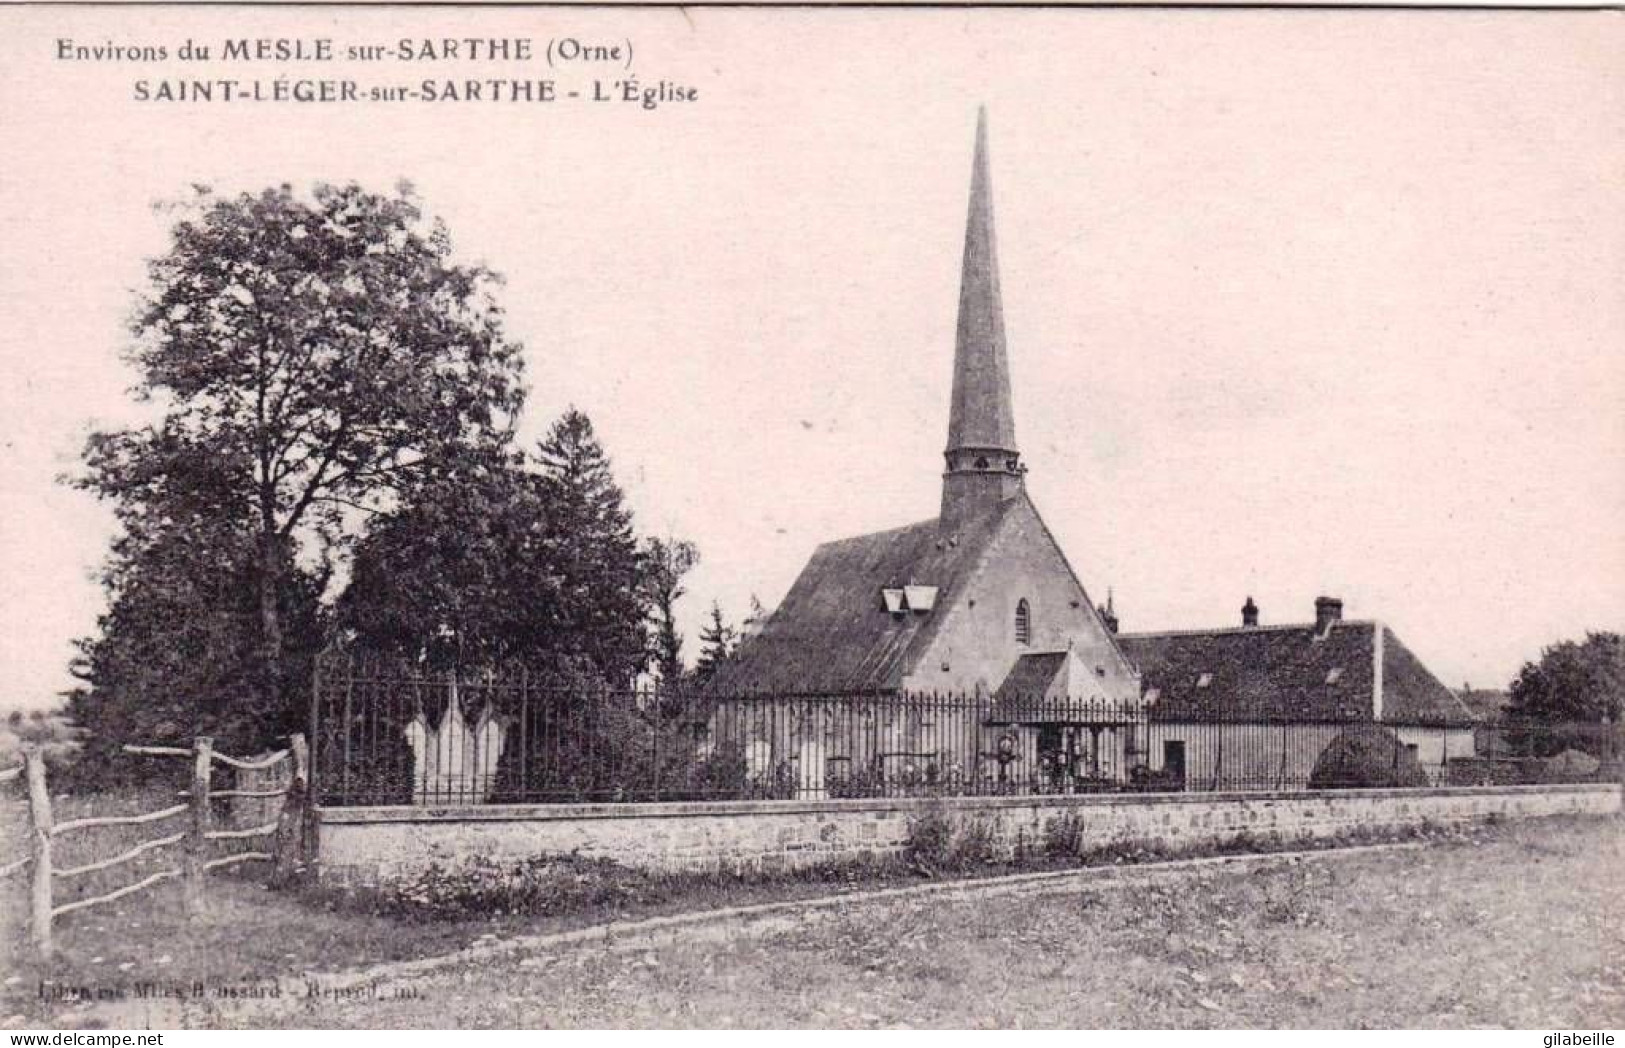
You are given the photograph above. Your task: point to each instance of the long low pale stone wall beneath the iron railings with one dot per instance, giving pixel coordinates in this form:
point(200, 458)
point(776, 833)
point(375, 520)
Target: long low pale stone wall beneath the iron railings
point(368, 846)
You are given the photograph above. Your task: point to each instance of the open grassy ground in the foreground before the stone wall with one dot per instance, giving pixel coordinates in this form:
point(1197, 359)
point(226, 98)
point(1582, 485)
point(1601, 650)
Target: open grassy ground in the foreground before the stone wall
point(1510, 927)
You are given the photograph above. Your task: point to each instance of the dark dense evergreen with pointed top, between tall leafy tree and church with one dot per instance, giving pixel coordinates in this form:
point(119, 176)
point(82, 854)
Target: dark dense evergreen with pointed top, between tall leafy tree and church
point(505, 558)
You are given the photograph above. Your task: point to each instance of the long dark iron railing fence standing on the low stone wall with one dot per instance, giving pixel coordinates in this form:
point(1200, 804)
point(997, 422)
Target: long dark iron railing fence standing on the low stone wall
point(396, 735)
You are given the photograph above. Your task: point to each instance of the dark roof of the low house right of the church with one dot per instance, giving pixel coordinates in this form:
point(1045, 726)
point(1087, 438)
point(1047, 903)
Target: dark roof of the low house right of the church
point(1285, 673)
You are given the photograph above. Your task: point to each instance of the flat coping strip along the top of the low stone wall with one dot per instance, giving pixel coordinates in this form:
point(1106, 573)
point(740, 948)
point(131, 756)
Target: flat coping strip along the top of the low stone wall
point(680, 810)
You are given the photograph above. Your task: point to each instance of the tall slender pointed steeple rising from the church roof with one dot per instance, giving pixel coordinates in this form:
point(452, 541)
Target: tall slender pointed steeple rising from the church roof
point(984, 467)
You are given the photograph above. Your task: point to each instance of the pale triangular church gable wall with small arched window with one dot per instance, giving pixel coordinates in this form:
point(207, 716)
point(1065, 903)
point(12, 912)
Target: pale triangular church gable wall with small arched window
point(979, 639)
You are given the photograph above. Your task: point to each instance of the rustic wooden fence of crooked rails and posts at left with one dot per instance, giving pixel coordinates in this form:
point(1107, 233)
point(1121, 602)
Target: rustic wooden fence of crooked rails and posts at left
point(287, 833)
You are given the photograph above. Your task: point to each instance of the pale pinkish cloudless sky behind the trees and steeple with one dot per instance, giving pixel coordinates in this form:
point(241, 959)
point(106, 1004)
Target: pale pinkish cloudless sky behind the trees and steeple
point(1298, 303)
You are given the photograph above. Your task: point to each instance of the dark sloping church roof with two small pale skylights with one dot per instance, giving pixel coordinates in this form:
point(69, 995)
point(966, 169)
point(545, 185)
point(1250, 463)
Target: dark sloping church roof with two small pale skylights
point(833, 631)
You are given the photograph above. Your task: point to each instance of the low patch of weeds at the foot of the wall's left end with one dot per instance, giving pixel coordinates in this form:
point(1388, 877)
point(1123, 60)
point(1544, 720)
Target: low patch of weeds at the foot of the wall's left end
point(482, 886)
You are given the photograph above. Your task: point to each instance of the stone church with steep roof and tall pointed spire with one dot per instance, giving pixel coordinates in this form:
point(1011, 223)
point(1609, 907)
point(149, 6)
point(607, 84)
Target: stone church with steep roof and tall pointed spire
point(979, 600)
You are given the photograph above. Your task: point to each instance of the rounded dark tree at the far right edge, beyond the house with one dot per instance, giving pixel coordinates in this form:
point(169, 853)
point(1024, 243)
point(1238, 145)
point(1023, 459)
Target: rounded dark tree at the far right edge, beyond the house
point(1571, 686)
